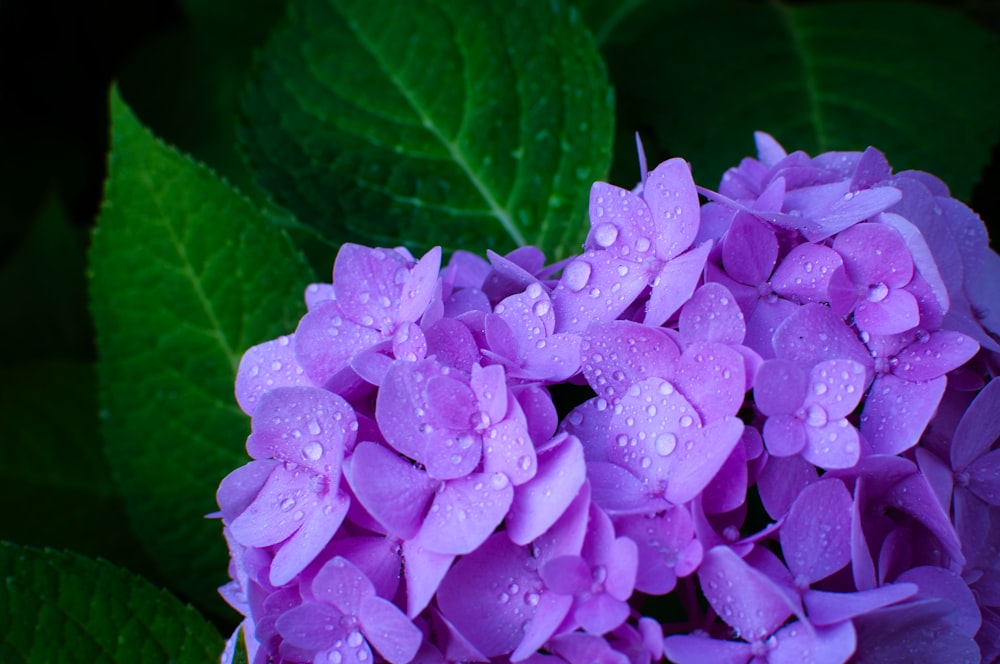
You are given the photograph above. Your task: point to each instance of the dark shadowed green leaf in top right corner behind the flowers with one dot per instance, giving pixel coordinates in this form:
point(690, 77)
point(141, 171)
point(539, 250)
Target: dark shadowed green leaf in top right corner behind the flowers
point(914, 80)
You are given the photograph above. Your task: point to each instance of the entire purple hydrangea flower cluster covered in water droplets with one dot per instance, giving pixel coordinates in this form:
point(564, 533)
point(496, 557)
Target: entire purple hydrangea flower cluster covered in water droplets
point(759, 428)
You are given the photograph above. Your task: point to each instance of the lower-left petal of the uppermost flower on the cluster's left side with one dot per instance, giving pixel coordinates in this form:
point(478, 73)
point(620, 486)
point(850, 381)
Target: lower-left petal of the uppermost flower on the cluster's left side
point(325, 341)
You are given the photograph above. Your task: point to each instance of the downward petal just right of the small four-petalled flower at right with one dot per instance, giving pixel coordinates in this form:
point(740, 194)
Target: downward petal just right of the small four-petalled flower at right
point(897, 412)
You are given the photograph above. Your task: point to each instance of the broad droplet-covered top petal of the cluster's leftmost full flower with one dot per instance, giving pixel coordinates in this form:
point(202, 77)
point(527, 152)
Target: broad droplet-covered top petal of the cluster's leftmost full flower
point(304, 425)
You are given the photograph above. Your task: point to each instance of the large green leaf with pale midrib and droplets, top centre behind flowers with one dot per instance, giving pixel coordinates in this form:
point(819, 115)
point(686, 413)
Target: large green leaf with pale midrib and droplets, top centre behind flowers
point(469, 125)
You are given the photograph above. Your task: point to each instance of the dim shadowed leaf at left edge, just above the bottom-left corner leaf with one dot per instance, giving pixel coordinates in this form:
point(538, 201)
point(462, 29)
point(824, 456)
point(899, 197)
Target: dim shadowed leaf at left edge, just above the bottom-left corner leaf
point(52, 452)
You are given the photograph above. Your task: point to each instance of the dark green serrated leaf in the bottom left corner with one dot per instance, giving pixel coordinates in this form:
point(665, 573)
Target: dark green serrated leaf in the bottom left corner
point(62, 607)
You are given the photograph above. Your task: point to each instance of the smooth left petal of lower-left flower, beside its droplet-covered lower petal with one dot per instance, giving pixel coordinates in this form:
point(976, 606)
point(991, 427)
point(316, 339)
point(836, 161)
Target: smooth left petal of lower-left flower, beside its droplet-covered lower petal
point(394, 492)
